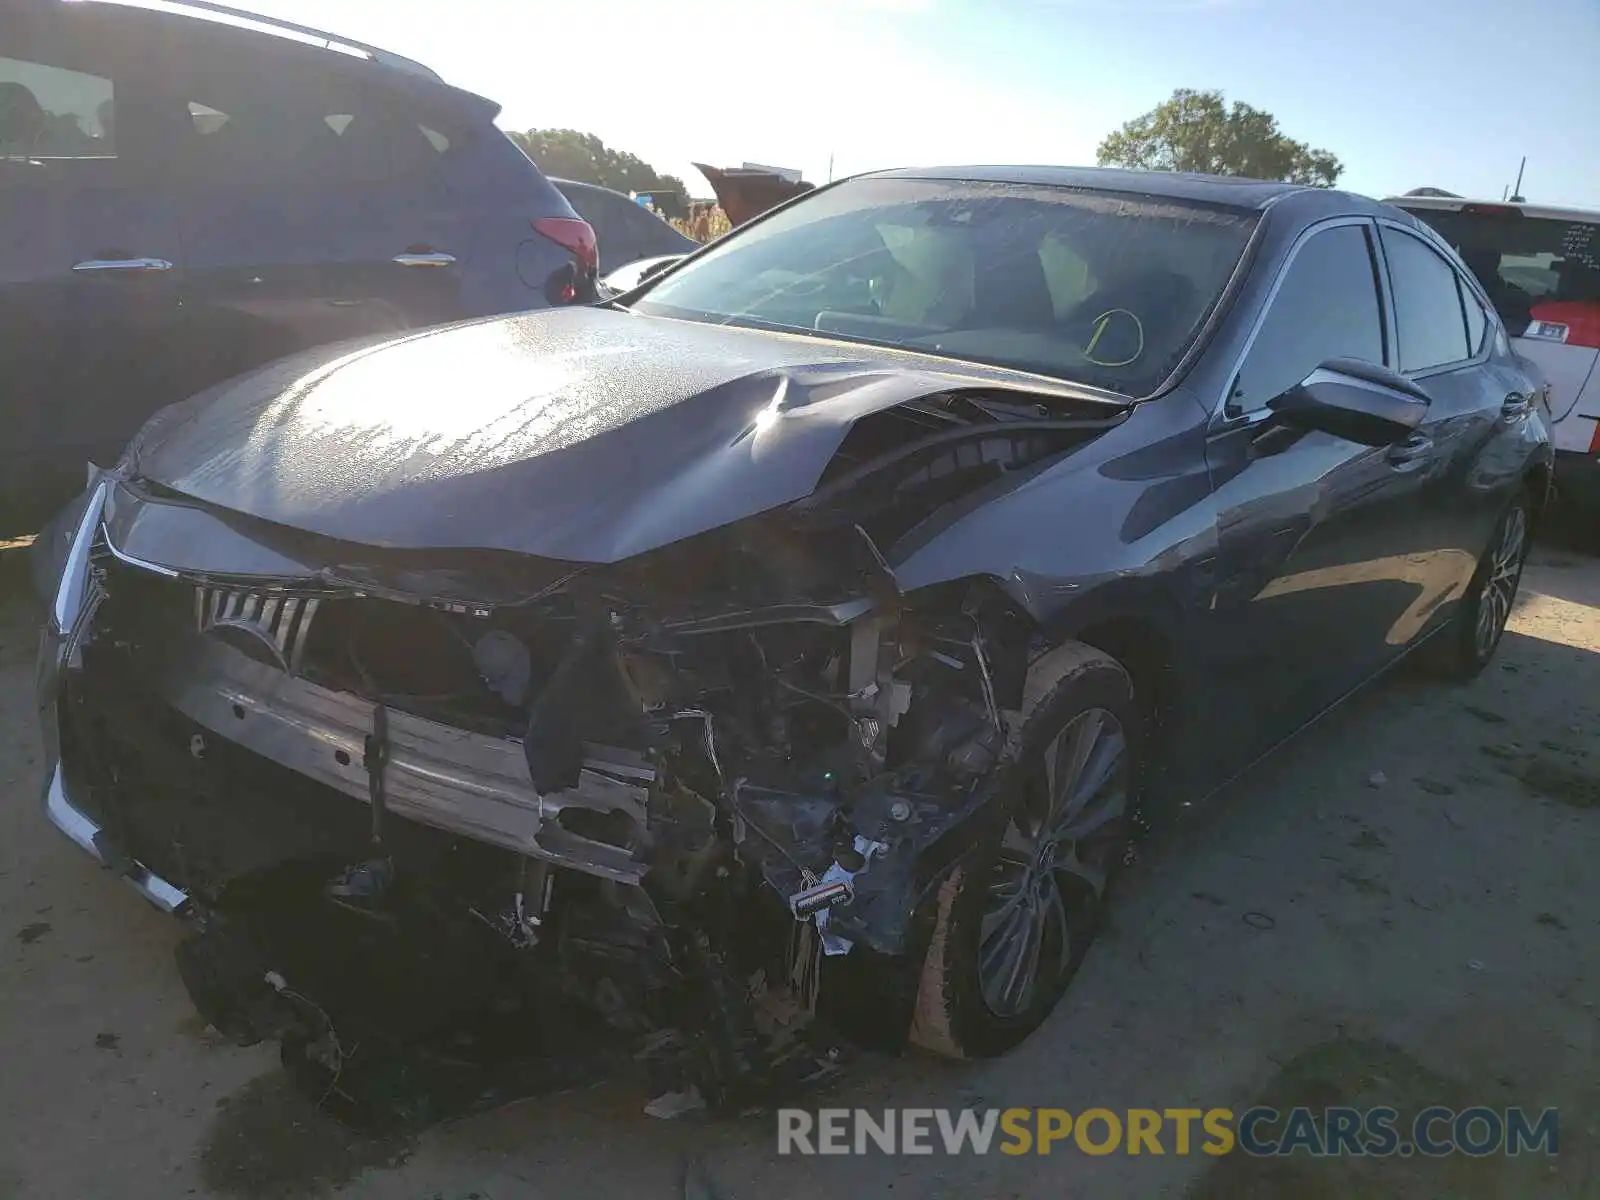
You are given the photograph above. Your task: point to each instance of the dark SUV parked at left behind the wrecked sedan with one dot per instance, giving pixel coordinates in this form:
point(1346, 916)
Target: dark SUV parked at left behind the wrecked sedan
point(188, 193)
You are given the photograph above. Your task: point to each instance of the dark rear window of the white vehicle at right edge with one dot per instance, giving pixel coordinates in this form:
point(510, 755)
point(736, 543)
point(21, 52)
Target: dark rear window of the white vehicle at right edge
point(1524, 260)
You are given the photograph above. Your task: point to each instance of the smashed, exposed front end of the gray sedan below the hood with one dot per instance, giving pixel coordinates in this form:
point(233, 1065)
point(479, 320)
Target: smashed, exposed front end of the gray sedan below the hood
point(454, 842)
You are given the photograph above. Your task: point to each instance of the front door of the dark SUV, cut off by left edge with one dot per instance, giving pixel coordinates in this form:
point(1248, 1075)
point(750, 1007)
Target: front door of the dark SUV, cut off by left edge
point(90, 262)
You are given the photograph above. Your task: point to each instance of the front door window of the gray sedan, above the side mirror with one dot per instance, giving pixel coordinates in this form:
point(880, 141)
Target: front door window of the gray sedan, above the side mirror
point(1326, 308)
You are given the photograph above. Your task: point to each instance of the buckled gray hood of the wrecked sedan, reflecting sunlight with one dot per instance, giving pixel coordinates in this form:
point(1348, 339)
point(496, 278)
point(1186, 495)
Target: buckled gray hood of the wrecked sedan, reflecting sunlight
point(577, 434)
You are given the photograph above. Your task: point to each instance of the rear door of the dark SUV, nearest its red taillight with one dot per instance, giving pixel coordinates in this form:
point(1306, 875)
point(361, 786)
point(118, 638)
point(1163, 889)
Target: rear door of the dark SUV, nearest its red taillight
point(314, 209)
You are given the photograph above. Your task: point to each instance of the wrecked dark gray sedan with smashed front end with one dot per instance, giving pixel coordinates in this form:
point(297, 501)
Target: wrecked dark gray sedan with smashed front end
point(780, 657)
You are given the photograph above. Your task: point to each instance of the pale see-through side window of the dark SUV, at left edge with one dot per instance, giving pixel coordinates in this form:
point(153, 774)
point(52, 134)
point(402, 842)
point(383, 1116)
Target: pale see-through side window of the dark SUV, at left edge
point(50, 113)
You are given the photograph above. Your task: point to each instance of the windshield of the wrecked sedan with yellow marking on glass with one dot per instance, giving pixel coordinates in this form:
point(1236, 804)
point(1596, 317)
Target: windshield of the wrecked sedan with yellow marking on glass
point(1092, 287)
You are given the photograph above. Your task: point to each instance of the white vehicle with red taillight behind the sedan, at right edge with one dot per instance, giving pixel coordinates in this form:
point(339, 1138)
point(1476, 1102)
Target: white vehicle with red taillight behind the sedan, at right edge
point(1542, 270)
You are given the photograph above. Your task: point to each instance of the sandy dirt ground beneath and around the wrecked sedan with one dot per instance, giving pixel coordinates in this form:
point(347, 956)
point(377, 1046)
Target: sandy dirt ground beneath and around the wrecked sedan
point(1321, 934)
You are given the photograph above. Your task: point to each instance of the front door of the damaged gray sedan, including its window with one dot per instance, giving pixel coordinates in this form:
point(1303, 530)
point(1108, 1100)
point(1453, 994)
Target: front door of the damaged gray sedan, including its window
point(1313, 582)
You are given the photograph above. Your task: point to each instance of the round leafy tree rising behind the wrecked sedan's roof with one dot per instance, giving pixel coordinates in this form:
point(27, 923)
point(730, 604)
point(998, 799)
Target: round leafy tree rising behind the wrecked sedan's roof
point(1198, 132)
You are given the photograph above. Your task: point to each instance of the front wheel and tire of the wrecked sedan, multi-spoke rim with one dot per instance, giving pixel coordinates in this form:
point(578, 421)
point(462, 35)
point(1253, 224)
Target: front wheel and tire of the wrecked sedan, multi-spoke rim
point(1015, 921)
